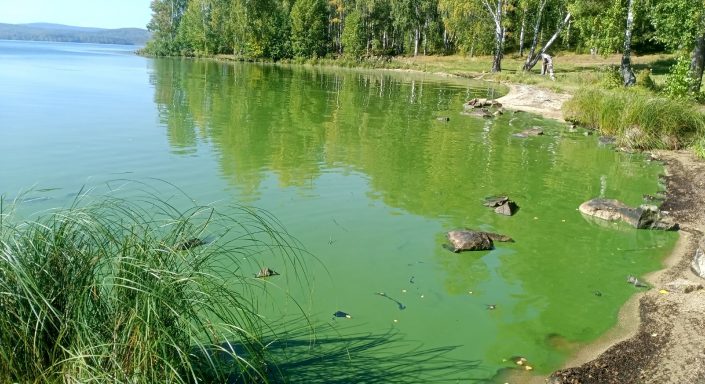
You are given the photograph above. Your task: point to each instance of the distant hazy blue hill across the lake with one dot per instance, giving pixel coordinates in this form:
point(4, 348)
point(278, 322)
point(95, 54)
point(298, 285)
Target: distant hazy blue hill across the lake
point(72, 34)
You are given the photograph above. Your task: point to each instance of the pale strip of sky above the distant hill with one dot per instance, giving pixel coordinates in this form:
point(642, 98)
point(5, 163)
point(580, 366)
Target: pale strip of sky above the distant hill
point(82, 13)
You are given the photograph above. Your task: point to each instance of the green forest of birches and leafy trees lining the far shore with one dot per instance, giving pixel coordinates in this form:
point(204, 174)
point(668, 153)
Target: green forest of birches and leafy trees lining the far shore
point(304, 29)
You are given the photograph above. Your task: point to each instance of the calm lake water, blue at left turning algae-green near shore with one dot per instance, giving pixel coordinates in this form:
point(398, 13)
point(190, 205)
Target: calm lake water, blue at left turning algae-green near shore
point(355, 165)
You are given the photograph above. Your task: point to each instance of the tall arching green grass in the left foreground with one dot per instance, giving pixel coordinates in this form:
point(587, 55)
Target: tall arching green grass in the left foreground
point(113, 291)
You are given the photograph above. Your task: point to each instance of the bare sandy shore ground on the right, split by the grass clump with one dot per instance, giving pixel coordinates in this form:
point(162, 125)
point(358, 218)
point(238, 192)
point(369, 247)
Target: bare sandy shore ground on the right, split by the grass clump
point(660, 335)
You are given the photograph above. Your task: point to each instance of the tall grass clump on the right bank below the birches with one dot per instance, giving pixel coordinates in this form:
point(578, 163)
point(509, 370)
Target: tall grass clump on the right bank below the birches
point(637, 119)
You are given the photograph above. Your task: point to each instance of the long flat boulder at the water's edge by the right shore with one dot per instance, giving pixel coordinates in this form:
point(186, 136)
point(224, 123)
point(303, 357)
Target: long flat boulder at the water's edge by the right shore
point(643, 217)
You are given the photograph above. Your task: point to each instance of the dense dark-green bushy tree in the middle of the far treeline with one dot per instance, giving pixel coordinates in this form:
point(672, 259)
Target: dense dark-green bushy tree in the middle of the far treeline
point(309, 28)
